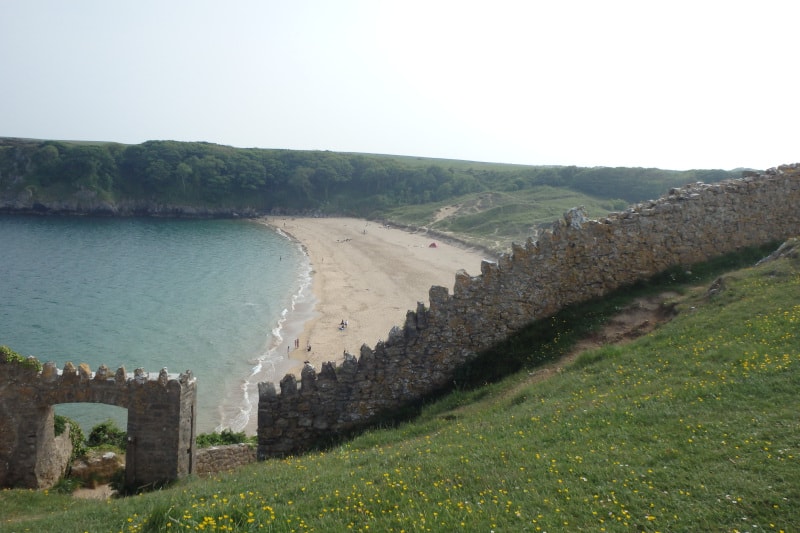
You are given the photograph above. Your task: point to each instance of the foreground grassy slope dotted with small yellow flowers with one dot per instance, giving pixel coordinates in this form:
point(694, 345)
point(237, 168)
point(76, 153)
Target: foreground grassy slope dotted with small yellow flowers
point(692, 427)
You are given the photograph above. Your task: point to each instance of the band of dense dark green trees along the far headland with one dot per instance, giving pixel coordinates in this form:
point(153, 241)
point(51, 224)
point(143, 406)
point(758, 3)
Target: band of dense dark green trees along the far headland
point(207, 174)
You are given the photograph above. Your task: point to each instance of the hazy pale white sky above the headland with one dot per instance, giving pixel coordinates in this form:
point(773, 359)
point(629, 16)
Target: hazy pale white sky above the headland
point(671, 84)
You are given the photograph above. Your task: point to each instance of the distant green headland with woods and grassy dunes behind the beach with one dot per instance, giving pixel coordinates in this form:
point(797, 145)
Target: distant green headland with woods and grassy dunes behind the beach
point(204, 179)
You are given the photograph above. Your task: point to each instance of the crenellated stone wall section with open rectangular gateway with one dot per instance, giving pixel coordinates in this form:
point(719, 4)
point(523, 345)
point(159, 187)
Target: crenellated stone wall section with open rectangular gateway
point(161, 419)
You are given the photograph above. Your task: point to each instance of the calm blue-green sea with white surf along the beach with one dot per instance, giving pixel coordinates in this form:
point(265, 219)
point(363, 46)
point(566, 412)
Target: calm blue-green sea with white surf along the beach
point(222, 298)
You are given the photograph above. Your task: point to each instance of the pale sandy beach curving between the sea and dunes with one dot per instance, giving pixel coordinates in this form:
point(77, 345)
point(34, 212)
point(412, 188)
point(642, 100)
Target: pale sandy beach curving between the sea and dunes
point(369, 276)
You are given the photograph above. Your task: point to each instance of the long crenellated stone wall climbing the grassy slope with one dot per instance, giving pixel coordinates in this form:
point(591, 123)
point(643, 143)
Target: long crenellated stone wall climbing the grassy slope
point(578, 260)
